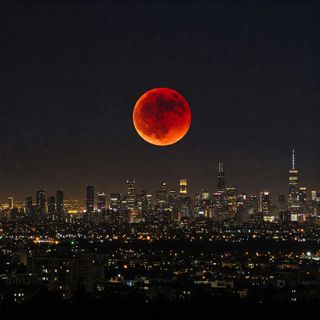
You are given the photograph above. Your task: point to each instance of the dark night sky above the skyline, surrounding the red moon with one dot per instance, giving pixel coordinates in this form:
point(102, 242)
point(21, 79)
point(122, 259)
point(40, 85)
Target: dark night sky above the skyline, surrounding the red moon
point(71, 72)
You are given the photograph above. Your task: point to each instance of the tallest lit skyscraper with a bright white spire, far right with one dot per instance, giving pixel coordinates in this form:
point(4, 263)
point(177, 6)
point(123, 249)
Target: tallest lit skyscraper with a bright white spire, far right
point(294, 192)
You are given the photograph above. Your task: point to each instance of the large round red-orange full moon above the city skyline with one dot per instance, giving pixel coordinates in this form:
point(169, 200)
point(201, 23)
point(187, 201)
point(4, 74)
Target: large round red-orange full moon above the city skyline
point(162, 116)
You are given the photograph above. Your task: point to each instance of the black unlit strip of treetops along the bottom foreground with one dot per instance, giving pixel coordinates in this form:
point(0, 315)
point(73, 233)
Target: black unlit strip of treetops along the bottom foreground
point(49, 305)
